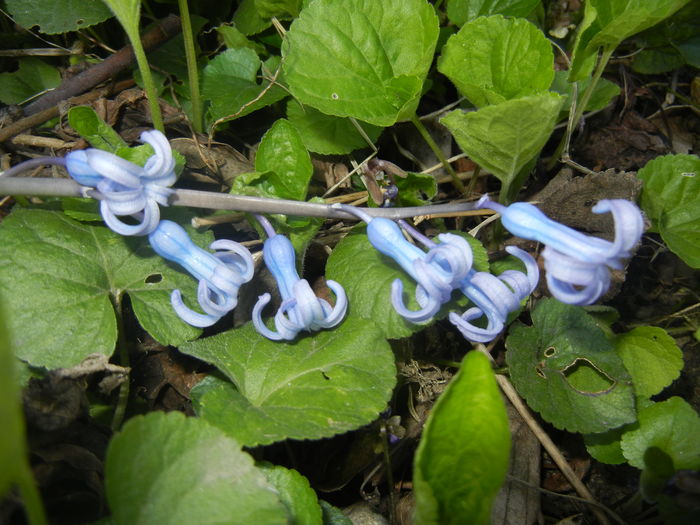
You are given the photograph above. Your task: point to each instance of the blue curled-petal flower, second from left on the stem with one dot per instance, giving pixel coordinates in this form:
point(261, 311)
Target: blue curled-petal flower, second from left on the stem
point(220, 274)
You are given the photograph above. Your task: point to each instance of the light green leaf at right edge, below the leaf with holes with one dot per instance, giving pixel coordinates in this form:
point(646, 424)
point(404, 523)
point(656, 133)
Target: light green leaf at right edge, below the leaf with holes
point(671, 426)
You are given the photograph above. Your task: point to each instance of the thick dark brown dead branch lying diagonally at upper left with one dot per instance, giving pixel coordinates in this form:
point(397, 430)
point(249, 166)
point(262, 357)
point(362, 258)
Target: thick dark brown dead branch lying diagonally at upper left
point(164, 31)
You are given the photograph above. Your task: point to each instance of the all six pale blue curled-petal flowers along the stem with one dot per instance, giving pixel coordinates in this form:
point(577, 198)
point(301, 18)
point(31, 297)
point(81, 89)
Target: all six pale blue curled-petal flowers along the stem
point(577, 266)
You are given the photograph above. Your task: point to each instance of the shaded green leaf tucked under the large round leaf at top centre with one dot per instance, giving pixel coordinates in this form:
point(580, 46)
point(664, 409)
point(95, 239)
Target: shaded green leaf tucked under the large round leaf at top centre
point(326, 134)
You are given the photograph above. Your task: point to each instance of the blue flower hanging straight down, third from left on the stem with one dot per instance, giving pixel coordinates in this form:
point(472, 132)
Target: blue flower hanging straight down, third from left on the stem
point(300, 308)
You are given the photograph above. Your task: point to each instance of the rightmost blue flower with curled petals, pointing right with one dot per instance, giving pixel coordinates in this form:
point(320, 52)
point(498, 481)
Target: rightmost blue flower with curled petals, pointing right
point(577, 265)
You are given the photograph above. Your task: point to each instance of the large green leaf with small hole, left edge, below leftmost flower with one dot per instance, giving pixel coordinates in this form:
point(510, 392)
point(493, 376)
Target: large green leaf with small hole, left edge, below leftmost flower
point(60, 278)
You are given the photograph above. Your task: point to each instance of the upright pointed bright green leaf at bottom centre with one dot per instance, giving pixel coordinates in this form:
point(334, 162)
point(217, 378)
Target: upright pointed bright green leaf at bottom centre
point(462, 458)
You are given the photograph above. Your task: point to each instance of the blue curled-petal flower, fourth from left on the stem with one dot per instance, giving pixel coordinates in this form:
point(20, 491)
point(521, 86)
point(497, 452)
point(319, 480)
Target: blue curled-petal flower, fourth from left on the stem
point(437, 272)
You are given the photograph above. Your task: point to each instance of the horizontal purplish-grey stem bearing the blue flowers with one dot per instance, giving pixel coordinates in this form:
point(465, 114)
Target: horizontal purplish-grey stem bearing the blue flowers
point(225, 201)
